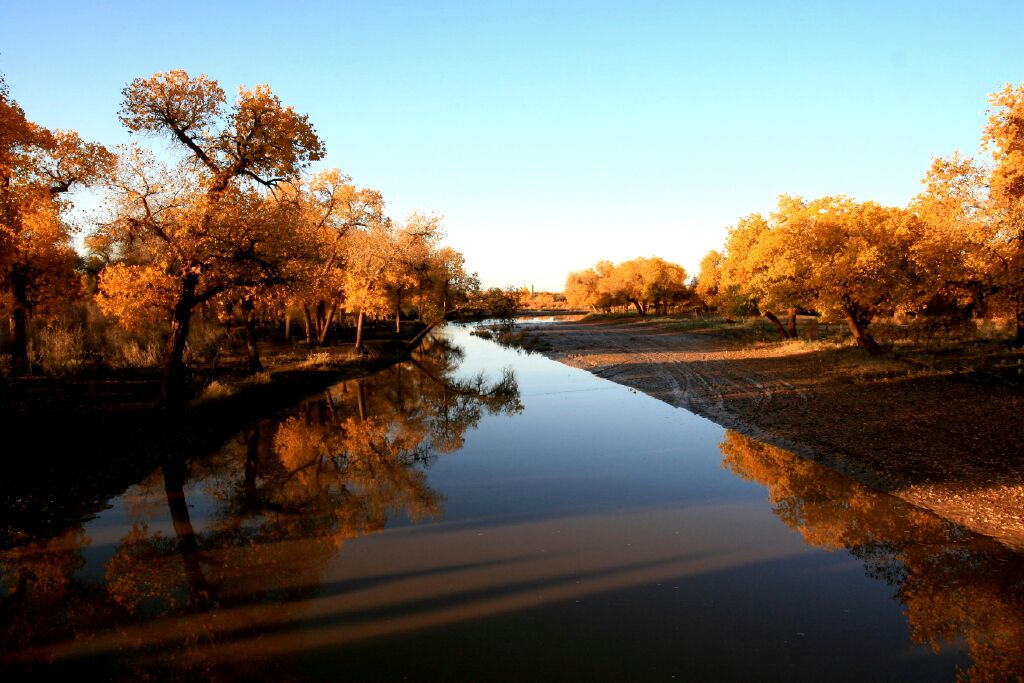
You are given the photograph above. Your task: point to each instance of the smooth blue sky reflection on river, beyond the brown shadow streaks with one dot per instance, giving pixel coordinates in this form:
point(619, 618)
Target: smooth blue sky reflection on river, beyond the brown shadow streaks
point(581, 444)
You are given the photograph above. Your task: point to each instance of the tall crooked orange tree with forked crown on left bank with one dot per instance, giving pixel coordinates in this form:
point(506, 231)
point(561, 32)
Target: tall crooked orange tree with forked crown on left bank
point(187, 232)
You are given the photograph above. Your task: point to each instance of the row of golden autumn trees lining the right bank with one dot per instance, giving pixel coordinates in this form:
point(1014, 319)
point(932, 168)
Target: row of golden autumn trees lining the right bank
point(954, 255)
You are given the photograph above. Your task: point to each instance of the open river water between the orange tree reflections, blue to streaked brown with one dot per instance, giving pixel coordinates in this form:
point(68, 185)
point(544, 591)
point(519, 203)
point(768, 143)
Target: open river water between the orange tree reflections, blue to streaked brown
point(600, 520)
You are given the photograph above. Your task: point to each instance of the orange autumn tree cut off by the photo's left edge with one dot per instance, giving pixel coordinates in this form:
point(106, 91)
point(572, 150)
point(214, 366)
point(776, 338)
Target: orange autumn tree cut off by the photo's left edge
point(38, 169)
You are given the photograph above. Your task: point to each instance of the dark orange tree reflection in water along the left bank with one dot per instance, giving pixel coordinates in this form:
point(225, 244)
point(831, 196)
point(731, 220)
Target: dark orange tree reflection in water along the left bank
point(285, 498)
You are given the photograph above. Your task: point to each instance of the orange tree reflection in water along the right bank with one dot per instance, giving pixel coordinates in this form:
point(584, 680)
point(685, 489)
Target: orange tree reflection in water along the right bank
point(954, 584)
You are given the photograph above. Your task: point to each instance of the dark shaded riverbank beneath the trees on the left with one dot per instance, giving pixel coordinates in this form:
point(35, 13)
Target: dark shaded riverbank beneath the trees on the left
point(83, 441)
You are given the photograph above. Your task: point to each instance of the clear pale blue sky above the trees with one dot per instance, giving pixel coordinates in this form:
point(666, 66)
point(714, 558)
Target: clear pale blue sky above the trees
point(550, 136)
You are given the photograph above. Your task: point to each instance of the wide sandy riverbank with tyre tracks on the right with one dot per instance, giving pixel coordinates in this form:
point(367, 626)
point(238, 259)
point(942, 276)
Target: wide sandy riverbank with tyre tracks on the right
point(948, 442)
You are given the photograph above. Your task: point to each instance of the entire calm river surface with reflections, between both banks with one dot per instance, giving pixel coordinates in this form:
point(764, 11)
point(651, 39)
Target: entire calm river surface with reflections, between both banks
point(445, 521)
